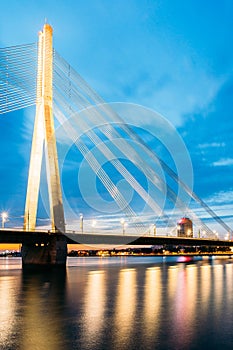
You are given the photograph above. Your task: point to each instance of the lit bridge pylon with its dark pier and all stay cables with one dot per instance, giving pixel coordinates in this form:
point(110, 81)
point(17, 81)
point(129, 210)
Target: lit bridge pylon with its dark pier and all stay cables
point(35, 74)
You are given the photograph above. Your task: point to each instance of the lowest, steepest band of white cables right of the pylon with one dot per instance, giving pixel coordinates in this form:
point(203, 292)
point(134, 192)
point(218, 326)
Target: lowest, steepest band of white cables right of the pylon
point(99, 171)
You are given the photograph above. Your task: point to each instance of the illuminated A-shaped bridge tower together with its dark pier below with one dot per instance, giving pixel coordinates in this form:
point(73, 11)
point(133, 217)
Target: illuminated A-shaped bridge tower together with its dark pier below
point(55, 252)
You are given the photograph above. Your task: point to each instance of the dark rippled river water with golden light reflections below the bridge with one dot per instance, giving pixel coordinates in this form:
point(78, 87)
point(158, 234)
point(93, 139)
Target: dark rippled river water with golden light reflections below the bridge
point(118, 303)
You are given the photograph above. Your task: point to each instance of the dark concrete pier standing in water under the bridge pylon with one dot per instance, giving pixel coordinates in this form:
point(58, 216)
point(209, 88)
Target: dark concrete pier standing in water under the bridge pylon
point(52, 253)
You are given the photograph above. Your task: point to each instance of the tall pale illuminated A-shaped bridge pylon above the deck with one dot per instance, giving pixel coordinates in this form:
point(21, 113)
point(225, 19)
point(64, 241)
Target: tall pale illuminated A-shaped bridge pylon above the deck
point(44, 134)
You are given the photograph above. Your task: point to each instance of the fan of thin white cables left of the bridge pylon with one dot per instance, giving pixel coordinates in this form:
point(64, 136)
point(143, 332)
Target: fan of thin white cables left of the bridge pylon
point(18, 72)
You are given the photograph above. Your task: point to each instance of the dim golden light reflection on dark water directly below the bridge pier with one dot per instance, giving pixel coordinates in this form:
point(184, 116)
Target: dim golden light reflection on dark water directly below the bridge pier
point(40, 324)
